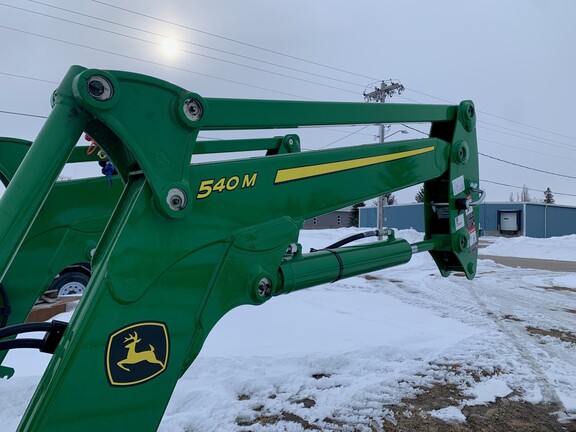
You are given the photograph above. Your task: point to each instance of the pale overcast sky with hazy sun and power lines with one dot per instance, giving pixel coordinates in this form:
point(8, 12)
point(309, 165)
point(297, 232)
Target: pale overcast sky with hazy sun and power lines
point(515, 59)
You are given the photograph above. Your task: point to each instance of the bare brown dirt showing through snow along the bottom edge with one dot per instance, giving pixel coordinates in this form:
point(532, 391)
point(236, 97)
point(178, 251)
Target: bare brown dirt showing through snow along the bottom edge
point(419, 413)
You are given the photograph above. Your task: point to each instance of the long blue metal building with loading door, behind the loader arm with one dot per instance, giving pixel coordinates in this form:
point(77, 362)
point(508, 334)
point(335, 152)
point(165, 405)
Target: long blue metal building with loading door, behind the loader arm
point(506, 218)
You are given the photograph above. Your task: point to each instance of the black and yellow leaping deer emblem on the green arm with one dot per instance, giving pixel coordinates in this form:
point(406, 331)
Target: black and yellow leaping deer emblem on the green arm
point(137, 353)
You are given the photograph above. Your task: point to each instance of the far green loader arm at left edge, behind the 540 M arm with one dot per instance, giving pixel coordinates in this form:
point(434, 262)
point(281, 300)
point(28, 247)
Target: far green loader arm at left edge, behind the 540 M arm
point(65, 232)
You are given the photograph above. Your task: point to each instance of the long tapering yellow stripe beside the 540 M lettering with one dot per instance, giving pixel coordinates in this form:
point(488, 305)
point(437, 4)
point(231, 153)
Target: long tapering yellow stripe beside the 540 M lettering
point(299, 173)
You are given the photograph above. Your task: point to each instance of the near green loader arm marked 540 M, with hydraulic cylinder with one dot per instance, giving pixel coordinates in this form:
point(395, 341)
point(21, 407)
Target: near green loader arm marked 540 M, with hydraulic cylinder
point(189, 241)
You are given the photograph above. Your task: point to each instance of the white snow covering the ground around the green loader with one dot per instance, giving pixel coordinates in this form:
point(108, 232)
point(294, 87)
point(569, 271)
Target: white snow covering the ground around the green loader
point(343, 354)
